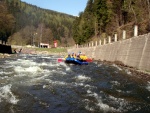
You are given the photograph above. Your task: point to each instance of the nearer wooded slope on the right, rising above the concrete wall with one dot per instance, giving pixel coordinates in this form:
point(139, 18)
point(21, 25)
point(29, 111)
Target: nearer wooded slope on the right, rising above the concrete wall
point(103, 18)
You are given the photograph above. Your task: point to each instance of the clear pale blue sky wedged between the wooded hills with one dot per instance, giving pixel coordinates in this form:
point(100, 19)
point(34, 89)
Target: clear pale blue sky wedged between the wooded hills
point(71, 7)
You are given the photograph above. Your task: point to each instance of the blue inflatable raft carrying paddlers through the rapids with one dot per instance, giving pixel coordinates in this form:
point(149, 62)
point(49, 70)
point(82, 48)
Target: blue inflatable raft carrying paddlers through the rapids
point(75, 61)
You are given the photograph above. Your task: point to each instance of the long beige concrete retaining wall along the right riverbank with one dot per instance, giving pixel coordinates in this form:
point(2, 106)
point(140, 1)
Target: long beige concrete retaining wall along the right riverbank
point(133, 52)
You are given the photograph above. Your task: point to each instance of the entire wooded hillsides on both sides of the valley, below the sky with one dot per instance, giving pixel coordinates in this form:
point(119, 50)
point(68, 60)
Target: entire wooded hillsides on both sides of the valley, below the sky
point(25, 24)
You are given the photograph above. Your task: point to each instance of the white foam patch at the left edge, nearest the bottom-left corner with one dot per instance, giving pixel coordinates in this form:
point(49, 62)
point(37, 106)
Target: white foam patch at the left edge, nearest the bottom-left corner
point(7, 95)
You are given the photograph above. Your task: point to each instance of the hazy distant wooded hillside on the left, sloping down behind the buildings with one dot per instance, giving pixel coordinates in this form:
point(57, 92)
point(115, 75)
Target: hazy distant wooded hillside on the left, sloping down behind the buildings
point(30, 25)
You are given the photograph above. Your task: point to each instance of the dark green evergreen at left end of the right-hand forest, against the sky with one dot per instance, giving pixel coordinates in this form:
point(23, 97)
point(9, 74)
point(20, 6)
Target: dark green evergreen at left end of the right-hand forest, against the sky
point(83, 27)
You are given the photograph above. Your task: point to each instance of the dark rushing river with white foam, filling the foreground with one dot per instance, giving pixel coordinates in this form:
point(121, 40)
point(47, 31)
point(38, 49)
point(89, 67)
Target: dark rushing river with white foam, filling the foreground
point(40, 84)
